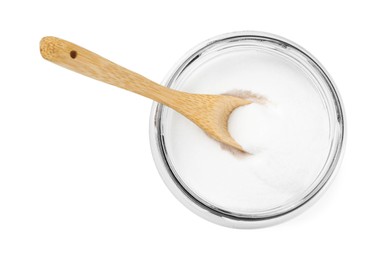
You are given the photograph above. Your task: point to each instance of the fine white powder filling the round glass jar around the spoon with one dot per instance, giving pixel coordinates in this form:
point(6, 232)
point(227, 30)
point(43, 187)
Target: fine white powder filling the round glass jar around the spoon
point(288, 135)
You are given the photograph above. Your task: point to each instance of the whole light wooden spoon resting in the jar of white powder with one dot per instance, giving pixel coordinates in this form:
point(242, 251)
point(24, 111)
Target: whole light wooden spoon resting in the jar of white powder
point(209, 112)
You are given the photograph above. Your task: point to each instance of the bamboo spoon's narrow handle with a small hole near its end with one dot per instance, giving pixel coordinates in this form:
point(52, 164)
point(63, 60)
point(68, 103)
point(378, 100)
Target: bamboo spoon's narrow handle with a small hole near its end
point(80, 60)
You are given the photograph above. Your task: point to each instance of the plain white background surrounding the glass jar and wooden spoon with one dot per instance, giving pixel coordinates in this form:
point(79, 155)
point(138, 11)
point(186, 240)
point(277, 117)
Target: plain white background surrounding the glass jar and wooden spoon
point(77, 180)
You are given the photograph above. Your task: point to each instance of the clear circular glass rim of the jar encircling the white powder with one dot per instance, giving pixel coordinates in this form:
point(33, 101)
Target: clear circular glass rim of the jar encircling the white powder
point(208, 211)
